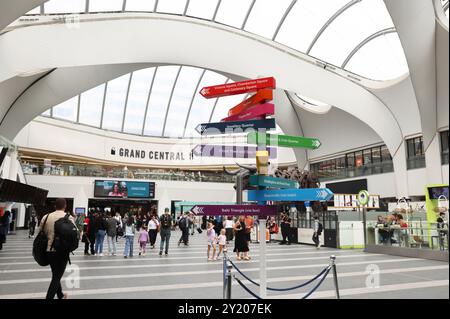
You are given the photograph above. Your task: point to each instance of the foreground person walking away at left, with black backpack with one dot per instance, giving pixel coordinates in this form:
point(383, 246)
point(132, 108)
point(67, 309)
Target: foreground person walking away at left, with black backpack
point(62, 239)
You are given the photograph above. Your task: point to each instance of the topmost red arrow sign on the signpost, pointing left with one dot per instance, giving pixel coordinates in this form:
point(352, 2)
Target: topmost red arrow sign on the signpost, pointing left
point(238, 87)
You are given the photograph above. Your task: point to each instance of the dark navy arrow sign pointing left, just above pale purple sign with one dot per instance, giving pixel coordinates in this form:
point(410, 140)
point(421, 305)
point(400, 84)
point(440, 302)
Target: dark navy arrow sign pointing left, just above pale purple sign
point(235, 127)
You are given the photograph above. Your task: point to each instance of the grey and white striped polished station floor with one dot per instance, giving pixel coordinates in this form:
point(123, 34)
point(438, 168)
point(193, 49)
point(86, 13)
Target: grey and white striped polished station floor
point(186, 273)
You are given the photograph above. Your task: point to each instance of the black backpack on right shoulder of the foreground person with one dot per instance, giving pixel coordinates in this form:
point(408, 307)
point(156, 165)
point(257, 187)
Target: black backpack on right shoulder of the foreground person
point(66, 236)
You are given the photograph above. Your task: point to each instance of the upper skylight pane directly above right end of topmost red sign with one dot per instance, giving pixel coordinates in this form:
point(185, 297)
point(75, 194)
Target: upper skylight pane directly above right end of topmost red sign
point(265, 17)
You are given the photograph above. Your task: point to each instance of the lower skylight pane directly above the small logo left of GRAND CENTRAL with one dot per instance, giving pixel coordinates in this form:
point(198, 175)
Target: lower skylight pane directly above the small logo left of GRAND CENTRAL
point(116, 93)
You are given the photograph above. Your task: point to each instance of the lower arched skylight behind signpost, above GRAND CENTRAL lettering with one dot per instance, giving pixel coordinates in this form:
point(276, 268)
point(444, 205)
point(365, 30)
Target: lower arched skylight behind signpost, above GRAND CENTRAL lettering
point(160, 101)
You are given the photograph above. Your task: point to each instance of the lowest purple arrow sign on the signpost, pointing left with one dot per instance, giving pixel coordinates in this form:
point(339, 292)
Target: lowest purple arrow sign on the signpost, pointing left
point(235, 210)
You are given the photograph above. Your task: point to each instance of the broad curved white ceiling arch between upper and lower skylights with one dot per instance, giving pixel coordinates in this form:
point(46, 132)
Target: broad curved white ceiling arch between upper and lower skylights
point(139, 40)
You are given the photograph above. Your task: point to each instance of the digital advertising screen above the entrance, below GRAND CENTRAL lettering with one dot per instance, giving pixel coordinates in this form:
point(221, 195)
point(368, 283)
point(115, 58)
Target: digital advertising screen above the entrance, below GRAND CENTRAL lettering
point(124, 189)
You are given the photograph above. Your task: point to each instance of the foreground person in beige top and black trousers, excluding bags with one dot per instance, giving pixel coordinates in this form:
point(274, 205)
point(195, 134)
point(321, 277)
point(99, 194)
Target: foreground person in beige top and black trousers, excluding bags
point(58, 260)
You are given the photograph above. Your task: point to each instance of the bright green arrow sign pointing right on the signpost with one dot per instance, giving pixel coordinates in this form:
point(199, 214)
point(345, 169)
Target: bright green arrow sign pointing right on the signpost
point(282, 140)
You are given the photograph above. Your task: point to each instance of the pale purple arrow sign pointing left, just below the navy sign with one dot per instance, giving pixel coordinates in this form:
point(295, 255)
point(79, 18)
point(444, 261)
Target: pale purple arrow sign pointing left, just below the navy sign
point(229, 151)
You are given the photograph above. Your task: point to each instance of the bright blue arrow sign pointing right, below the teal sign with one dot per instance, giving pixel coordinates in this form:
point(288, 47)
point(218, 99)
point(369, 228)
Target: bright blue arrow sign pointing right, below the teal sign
point(288, 195)
